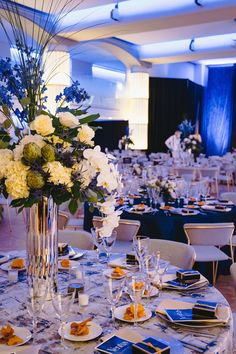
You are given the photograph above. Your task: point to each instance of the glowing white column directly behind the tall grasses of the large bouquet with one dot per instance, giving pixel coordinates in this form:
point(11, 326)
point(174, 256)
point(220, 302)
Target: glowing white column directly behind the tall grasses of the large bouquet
point(57, 75)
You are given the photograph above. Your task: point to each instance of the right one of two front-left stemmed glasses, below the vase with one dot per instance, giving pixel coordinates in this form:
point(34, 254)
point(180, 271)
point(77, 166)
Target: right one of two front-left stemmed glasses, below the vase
point(62, 301)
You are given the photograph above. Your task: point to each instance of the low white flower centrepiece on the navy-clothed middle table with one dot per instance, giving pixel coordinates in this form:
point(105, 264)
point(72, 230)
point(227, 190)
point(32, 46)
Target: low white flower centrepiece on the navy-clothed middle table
point(166, 188)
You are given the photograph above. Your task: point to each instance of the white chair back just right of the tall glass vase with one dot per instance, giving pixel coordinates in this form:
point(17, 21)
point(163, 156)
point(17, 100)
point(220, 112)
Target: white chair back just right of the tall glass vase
point(76, 238)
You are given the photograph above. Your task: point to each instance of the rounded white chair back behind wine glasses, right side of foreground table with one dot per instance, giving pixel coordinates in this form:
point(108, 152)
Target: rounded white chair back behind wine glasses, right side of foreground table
point(180, 254)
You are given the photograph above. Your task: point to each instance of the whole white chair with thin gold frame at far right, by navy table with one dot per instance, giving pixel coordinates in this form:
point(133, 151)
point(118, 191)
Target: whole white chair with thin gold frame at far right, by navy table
point(207, 239)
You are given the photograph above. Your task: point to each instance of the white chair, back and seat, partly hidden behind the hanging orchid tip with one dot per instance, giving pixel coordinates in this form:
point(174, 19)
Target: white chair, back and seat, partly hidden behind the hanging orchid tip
point(126, 231)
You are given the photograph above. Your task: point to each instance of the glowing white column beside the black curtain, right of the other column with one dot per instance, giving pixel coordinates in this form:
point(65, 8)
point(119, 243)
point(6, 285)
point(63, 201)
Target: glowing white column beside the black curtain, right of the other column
point(137, 93)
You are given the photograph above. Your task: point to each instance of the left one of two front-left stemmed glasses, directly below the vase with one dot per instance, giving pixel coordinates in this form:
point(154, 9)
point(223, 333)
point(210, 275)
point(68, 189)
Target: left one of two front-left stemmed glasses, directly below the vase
point(36, 296)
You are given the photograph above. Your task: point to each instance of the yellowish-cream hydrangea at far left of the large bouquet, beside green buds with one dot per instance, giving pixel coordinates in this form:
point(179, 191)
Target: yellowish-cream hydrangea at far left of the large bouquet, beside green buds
point(16, 182)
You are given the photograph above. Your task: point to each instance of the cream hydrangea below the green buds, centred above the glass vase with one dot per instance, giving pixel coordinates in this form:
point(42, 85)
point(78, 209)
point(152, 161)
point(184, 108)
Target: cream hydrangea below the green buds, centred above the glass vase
point(59, 174)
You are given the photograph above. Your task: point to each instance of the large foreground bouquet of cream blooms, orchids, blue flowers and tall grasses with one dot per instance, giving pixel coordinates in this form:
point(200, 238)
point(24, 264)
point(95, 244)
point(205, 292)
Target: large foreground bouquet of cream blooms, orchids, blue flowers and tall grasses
point(45, 154)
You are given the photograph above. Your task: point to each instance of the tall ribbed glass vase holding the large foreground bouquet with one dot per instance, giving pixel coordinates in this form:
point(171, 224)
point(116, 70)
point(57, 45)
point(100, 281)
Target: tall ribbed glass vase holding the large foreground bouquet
point(42, 244)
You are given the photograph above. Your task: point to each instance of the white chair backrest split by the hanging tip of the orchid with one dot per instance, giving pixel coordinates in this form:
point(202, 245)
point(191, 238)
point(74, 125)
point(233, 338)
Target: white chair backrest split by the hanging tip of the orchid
point(126, 230)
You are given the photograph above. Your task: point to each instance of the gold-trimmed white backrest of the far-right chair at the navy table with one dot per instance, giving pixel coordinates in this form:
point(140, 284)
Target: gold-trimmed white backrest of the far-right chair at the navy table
point(216, 234)
